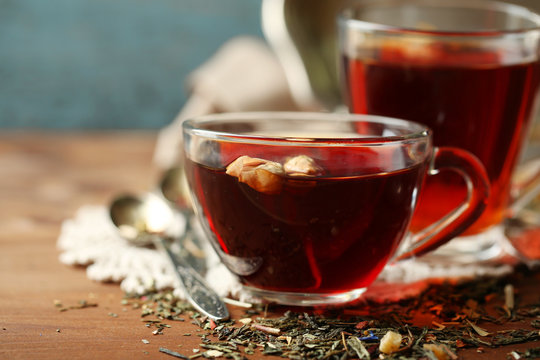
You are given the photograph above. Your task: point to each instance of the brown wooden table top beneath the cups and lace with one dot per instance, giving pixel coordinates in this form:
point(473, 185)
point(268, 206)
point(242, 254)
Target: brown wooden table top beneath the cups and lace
point(45, 178)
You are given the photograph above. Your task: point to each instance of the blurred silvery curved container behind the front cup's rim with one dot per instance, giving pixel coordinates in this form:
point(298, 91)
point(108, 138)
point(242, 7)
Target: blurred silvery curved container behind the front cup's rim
point(303, 34)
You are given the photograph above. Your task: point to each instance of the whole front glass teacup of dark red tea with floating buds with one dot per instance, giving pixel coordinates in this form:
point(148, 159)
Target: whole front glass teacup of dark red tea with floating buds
point(307, 208)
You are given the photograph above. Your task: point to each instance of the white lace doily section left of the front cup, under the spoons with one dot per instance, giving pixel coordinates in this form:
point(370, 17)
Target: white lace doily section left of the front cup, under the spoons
point(90, 239)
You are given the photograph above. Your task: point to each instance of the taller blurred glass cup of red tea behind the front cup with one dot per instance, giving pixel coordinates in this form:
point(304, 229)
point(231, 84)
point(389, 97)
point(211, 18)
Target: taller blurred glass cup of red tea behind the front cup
point(468, 69)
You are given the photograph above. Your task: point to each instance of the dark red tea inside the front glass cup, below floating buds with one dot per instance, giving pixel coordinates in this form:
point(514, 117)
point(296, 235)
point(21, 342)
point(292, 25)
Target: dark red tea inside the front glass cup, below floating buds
point(318, 235)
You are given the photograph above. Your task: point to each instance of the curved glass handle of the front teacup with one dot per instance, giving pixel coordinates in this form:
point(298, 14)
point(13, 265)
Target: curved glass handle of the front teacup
point(460, 218)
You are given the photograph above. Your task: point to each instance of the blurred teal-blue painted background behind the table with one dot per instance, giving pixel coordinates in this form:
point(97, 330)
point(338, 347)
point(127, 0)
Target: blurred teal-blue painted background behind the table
point(85, 64)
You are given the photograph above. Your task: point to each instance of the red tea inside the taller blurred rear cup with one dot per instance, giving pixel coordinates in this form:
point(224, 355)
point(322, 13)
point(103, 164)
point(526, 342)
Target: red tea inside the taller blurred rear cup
point(485, 109)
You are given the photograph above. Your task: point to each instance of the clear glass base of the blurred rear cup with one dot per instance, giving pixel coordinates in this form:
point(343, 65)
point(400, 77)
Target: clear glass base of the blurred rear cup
point(484, 247)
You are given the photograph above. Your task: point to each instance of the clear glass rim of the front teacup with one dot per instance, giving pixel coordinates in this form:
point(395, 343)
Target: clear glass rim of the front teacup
point(418, 132)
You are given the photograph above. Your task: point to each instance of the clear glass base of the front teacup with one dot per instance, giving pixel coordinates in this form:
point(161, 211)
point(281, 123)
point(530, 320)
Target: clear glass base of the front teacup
point(306, 299)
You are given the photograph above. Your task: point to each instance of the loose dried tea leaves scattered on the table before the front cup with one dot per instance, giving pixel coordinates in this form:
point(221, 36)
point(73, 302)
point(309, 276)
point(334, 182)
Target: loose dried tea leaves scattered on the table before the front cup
point(459, 315)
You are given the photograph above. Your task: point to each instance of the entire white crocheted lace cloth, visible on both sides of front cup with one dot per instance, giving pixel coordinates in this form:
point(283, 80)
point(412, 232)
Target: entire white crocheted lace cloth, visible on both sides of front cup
point(90, 239)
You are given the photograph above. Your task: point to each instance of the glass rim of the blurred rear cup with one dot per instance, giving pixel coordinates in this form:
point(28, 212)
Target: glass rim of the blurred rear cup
point(346, 17)
